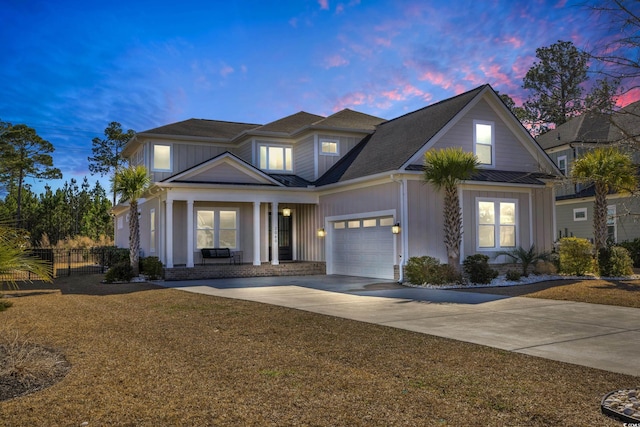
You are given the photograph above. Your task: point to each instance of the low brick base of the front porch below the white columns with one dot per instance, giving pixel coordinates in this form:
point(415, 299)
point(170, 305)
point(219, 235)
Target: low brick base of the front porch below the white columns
point(223, 271)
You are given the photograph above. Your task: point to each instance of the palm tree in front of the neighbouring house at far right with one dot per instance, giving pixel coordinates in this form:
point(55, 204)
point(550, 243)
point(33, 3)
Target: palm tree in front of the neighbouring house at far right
point(610, 170)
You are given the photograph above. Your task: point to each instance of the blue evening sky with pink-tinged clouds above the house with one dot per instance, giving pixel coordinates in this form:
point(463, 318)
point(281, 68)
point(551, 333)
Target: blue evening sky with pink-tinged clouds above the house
point(68, 68)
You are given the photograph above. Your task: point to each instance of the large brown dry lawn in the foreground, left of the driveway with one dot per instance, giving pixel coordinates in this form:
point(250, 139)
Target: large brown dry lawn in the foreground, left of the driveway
point(145, 356)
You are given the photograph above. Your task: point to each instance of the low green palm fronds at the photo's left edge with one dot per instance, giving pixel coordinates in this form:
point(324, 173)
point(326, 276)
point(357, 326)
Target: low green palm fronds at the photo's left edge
point(14, 257)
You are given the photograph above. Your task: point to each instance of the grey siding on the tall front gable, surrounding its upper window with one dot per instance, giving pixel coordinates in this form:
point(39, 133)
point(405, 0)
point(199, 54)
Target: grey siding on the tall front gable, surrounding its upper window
point(510, 154)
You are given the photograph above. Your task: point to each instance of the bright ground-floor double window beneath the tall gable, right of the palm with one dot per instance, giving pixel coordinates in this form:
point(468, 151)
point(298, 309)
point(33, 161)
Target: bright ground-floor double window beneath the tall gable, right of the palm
point(497, 224)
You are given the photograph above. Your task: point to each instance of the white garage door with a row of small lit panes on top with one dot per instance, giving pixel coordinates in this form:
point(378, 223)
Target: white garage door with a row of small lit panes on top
point(363, 247)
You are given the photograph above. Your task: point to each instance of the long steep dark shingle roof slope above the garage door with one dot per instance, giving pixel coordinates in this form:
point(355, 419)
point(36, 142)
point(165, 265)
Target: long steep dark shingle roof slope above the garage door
point(396, 141)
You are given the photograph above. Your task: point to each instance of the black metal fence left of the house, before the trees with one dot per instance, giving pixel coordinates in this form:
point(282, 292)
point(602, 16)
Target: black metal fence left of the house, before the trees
point(67, 262)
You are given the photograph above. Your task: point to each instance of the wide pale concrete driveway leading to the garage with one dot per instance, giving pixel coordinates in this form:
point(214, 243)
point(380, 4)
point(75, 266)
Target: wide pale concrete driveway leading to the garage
point(598, 336)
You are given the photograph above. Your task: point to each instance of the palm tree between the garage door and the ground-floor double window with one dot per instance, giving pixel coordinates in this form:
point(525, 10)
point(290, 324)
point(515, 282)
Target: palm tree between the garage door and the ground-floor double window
point(445, 169)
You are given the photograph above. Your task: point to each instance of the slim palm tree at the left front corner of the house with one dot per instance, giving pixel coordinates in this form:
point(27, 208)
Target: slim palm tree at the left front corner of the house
point(131, 183)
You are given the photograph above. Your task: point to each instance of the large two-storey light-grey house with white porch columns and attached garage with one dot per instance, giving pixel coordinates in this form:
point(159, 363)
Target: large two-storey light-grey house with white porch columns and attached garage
point(329, 189)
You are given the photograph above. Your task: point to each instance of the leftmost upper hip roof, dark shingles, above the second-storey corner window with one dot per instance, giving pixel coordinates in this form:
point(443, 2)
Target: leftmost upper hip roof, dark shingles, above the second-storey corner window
point(203, 128)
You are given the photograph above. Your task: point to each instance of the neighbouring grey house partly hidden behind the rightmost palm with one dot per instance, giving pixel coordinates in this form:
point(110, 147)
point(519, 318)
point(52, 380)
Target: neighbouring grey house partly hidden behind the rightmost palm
point(574, 202)
